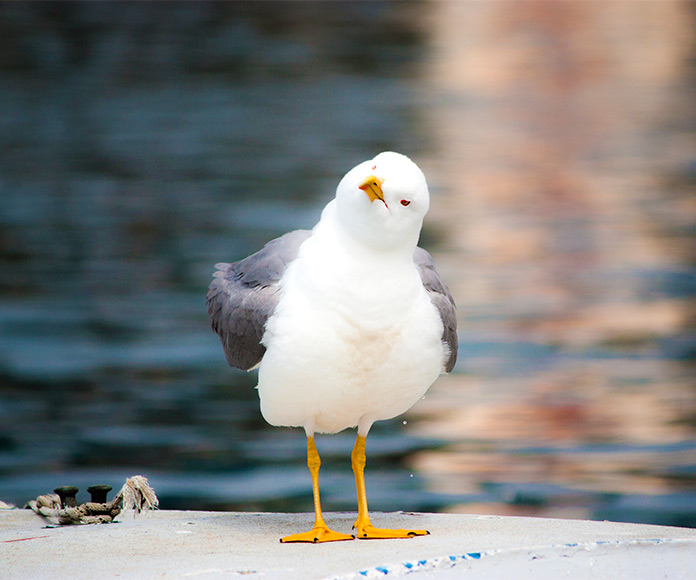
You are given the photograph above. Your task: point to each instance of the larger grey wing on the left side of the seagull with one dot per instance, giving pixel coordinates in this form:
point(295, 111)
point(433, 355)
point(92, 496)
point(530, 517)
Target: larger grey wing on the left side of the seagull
point(244, 294)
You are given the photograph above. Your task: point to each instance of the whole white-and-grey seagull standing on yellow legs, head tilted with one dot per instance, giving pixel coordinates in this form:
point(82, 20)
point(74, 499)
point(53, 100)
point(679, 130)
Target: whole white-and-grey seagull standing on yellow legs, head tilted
point(348, 323)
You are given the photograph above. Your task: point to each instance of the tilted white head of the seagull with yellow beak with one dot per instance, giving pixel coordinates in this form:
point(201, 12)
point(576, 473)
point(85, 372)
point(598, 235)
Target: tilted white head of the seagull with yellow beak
point(382, 202)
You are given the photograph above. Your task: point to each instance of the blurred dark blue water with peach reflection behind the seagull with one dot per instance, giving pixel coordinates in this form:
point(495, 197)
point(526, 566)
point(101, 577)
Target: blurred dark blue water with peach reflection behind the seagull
point(140, 143)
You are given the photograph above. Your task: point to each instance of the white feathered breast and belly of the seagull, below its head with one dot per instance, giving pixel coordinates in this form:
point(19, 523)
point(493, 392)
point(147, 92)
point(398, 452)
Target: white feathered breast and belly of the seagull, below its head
point(353, 339)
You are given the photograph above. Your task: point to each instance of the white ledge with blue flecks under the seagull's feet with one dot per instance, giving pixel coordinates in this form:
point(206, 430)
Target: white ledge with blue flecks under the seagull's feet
point(203, 545)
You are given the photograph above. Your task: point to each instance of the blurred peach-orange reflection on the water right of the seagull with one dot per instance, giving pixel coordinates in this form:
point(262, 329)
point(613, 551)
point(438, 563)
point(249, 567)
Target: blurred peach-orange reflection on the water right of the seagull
point(567, 174)
